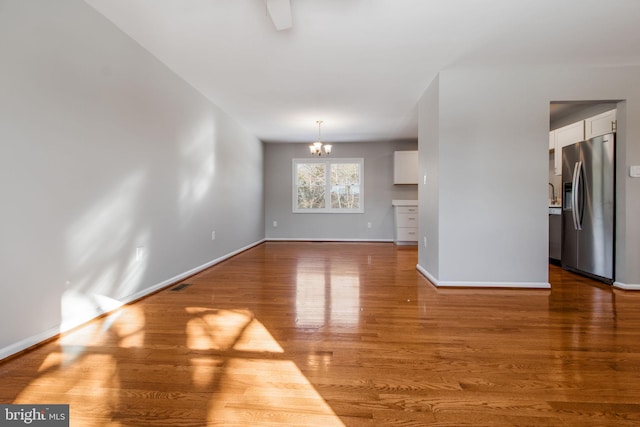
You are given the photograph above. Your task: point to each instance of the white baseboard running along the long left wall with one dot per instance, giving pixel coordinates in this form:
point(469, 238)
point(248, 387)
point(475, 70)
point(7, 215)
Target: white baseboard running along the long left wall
point(51, 333)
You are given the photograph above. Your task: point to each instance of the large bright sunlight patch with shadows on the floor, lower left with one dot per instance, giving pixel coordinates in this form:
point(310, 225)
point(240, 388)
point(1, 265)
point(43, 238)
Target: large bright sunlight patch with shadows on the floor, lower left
point(236, 374)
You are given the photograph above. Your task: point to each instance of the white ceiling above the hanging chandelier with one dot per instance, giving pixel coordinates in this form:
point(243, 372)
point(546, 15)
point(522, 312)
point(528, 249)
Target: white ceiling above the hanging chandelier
point(361, 65)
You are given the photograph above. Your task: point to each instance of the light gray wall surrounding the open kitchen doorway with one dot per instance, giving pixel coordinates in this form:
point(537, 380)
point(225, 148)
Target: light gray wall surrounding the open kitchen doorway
point(493, 170)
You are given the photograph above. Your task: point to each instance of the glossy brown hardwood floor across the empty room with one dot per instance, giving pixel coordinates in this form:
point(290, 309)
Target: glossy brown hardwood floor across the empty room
point(345, 334)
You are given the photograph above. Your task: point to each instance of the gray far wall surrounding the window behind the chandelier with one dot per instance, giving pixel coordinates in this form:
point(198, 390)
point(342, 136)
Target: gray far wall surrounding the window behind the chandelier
point(379, 190)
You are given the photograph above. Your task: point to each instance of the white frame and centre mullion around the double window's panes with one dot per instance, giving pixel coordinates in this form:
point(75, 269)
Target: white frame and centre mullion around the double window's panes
point(327, 185)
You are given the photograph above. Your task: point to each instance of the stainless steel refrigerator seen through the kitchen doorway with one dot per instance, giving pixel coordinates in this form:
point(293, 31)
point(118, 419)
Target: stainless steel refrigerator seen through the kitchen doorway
point(588, 207)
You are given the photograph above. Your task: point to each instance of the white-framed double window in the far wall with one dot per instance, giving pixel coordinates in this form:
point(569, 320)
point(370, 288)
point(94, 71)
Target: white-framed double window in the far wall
point(328, 185)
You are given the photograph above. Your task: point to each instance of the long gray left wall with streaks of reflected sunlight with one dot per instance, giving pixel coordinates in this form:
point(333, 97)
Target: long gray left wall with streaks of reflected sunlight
point(104, 150)
